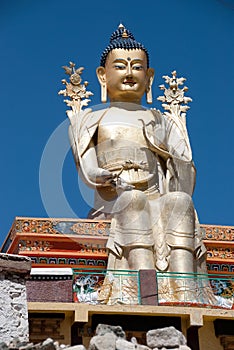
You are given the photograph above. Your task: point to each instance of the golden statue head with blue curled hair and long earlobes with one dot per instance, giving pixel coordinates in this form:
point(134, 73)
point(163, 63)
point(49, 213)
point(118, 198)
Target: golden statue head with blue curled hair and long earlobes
point(124, 73)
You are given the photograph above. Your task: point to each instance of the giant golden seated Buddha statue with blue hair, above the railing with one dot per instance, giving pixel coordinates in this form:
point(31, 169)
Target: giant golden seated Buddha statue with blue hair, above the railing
point(139, 162)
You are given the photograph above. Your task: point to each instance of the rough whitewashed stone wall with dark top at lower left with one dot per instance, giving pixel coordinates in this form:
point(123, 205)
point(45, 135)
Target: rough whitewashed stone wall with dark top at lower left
point(13, 302)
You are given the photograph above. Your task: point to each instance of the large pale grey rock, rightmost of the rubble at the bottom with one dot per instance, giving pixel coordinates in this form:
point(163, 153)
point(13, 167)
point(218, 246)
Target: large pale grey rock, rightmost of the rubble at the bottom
point(167, 337)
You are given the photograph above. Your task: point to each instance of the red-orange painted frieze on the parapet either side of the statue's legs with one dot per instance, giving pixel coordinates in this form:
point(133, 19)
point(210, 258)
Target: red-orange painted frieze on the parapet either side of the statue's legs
point(218, 241)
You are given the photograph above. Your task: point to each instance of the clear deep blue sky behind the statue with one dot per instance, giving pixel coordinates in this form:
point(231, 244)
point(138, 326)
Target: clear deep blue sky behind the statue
point(38, 37)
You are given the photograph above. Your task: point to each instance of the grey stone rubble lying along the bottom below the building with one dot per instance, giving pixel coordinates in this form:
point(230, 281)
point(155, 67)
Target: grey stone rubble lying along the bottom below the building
point(111, 338)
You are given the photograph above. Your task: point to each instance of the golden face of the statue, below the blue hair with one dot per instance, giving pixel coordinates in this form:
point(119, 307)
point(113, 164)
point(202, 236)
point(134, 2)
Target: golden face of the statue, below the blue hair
point(126, 75)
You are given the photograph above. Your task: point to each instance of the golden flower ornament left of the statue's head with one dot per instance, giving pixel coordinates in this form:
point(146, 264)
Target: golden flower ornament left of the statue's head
point(76, 91)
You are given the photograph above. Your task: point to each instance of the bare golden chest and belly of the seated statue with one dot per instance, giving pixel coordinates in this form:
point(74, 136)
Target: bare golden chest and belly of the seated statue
point(122, 147)
